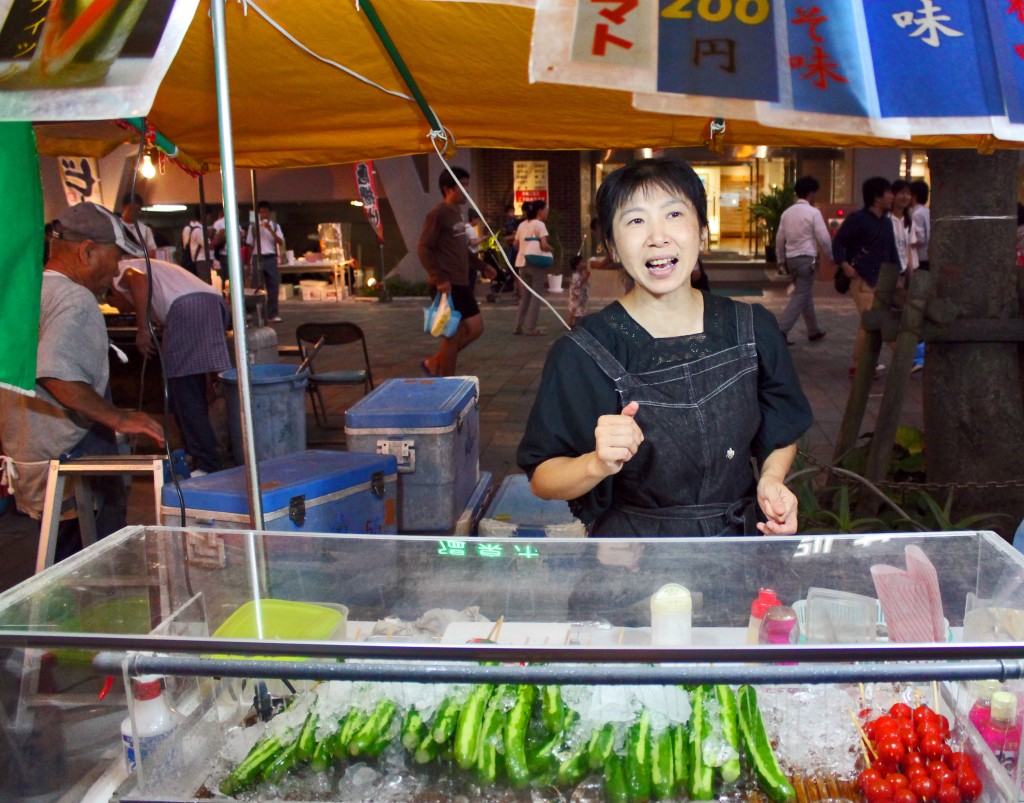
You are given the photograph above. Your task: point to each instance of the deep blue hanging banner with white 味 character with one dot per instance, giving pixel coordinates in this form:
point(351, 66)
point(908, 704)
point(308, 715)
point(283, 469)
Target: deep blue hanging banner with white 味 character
point(933, 59)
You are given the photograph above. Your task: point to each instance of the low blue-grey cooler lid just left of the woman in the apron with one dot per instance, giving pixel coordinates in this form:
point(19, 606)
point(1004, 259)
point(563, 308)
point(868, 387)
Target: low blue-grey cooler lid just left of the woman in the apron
point(516, 512)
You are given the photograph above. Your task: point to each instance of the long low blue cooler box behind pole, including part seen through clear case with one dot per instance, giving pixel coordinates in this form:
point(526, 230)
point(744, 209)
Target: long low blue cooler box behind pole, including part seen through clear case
point(306, 493)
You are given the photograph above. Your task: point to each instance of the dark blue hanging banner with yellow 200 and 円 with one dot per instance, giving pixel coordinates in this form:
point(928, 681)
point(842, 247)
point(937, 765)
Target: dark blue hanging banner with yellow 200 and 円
point(719, 50)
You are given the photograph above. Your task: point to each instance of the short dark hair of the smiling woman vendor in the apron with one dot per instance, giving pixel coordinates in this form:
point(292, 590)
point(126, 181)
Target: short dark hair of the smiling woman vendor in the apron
point(672, 176)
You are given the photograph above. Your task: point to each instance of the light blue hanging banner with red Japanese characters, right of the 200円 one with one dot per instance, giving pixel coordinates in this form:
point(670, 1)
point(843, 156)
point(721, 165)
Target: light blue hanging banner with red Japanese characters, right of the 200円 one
point(827, 59)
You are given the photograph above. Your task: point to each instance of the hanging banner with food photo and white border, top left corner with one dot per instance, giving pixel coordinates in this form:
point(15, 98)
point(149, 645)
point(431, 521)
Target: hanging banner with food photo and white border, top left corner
point(75, 61)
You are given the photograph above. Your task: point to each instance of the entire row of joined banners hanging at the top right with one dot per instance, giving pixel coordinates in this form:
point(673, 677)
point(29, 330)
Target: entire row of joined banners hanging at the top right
point(895, 69)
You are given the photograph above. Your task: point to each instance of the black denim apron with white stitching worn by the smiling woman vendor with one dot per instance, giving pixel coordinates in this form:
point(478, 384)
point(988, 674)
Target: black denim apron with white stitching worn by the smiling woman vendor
point(693, 475)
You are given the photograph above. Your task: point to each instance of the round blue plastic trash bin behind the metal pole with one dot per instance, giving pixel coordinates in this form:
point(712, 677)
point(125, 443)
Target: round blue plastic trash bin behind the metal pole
point(279, 404)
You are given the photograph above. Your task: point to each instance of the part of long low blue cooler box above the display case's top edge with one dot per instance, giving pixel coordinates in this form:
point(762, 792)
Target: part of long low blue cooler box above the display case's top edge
point(308, 492)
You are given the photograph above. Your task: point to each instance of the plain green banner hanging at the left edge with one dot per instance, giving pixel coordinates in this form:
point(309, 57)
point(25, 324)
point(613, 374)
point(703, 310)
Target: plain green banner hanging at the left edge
point(21, 256)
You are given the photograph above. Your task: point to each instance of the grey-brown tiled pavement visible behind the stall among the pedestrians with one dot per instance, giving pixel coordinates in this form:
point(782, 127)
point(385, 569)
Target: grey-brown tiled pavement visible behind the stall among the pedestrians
point(509, 369)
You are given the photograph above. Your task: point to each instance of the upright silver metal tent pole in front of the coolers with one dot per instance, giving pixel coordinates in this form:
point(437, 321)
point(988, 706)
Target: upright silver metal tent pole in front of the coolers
point(234, 262)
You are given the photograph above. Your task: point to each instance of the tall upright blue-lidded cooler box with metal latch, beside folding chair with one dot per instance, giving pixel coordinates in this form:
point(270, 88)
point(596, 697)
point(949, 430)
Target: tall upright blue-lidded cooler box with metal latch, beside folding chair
point(433, 427)
